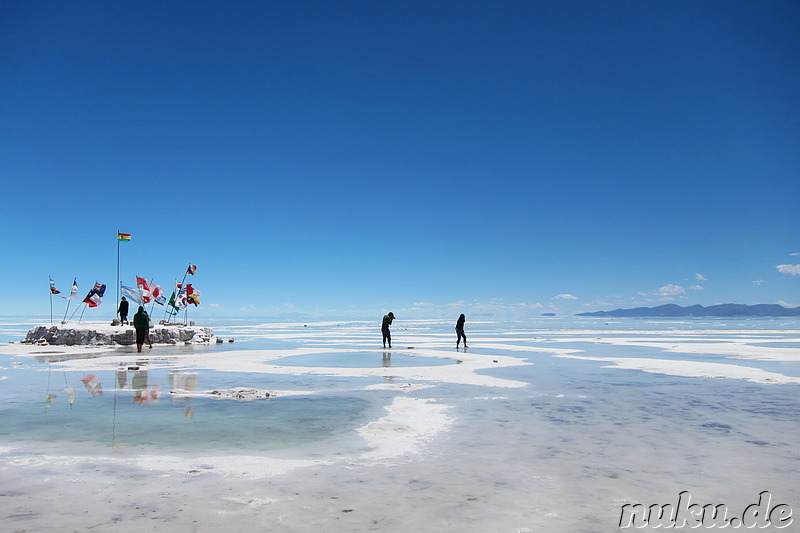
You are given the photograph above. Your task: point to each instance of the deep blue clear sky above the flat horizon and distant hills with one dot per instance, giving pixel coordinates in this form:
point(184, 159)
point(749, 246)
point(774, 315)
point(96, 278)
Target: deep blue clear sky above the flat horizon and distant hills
point(430, 158)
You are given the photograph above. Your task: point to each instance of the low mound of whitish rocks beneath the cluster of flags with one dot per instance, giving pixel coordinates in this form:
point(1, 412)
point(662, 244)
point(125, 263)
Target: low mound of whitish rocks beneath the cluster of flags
point(122, 335)
